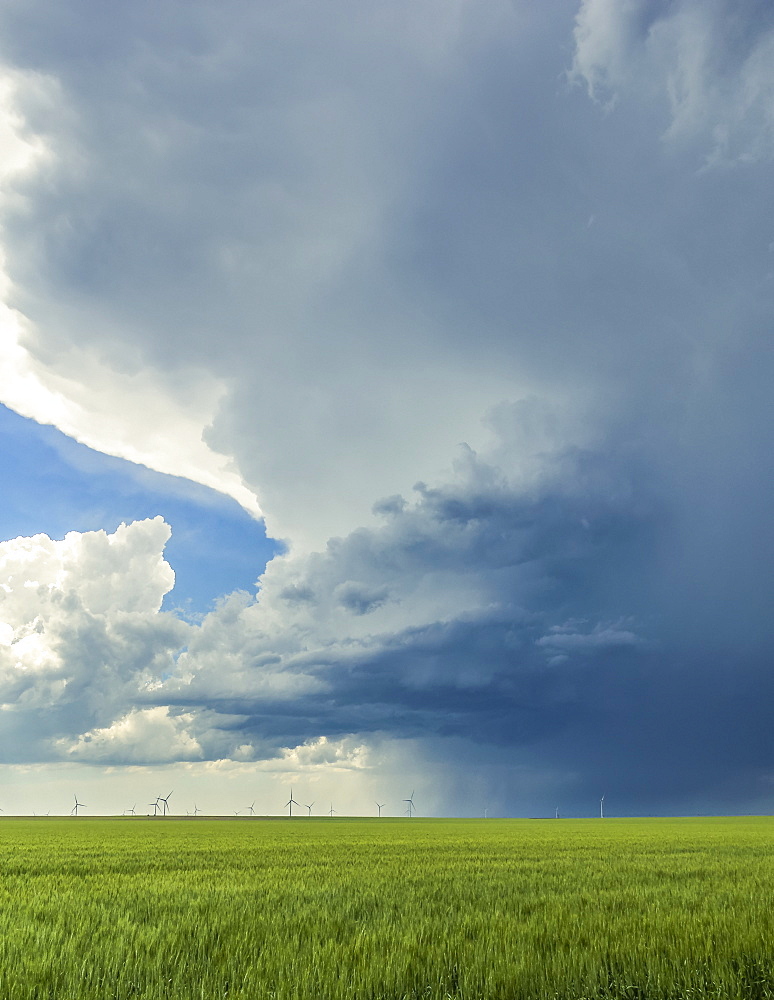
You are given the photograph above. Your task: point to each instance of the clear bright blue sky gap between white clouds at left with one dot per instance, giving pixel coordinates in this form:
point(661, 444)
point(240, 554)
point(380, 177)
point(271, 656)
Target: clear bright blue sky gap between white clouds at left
point(52, 484)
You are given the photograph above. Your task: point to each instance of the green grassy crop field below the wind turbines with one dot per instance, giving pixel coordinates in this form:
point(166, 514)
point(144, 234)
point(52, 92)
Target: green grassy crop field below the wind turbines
point(328, 908)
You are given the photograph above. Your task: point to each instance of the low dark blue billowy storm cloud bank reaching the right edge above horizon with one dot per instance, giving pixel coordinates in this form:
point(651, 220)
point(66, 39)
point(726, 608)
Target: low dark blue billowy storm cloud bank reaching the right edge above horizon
point(560, 635)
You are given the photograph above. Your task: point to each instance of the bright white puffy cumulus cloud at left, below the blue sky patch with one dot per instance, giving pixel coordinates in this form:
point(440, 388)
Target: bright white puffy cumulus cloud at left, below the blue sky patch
point(82, 634)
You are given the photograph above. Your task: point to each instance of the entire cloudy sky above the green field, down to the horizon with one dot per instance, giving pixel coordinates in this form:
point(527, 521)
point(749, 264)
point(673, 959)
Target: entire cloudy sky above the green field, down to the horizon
point(386, 406)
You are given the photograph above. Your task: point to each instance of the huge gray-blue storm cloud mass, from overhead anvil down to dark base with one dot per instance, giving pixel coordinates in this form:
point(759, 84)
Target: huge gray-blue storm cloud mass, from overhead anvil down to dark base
point(390, 242)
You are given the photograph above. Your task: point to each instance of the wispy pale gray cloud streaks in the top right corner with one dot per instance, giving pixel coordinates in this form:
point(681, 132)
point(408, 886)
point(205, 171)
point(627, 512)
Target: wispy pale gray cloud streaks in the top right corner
point(712, 63)
